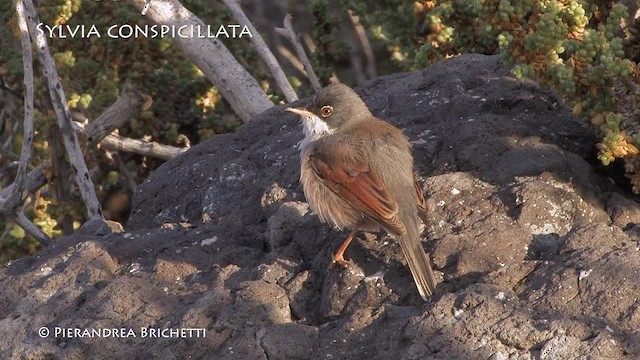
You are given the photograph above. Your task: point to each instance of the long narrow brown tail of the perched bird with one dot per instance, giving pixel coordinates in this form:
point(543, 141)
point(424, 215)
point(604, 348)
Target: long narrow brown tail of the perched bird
point(417, 259)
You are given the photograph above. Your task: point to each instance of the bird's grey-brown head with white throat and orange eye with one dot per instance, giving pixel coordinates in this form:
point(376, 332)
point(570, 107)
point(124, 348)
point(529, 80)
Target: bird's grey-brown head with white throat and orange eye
point(333, 108)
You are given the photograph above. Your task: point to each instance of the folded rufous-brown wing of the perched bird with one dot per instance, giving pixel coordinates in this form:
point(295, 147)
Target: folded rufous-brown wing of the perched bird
point(354, 181)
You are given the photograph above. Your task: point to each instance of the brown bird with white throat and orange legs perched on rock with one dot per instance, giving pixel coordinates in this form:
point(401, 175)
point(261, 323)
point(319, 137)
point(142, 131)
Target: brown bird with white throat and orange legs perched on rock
point(357, 173)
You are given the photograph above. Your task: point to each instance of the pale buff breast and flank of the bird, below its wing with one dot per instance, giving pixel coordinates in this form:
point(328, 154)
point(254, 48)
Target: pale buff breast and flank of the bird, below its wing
point(329, 206)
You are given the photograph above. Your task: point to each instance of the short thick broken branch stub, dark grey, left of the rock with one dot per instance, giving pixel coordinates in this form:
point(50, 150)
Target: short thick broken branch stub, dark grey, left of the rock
point(128, 105)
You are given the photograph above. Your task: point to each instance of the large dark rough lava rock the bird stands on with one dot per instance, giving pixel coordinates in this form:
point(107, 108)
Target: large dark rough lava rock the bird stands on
point(537, 254)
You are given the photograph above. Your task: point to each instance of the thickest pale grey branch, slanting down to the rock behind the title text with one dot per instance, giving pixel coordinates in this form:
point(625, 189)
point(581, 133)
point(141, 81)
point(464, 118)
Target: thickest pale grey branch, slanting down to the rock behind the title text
point(236, 85)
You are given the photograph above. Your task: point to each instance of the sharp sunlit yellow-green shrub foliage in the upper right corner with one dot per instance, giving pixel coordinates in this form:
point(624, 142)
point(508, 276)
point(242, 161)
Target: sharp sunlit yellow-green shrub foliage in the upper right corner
point(574, 47)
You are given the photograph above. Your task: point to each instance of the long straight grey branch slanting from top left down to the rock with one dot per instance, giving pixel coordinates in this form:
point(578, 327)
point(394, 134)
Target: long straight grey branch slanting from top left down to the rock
point(59, 102)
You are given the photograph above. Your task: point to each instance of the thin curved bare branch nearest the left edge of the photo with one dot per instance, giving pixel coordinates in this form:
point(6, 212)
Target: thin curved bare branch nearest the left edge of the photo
point(25, 155)
